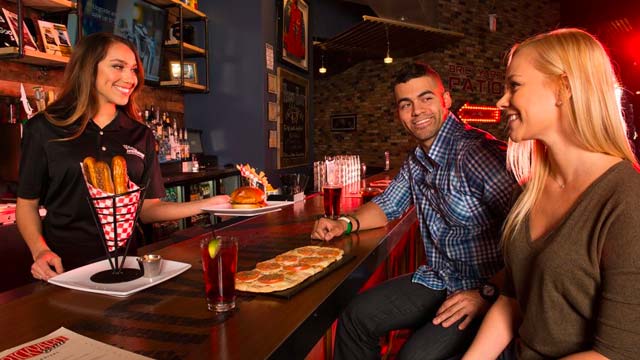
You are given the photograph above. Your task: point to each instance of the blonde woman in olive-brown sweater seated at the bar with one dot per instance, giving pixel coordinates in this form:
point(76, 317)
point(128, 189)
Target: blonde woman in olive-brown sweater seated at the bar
point(572, 239)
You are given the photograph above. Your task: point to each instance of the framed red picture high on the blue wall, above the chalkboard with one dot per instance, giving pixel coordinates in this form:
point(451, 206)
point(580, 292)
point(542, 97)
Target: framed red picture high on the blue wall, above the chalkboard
point(293, 32)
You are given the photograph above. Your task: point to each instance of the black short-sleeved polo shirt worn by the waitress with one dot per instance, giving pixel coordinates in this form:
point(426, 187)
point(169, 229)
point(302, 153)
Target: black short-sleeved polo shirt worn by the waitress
point(51, 171)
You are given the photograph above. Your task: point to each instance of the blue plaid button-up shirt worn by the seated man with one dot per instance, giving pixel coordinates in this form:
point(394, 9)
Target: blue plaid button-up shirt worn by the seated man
point(462, 192)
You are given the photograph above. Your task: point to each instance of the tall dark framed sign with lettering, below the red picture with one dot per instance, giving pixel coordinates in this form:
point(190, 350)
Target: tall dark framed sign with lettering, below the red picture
point(294, 120)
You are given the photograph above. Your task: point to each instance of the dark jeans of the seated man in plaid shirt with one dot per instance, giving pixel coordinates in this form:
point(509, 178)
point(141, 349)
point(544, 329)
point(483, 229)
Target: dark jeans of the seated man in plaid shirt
point(400, 304)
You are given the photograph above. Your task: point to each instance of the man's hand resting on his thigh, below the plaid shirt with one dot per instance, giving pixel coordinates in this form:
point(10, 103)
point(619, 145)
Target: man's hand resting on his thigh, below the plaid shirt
point(467, 303)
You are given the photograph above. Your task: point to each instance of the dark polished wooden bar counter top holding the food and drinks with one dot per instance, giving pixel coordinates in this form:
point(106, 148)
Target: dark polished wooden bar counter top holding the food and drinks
point(171, 320)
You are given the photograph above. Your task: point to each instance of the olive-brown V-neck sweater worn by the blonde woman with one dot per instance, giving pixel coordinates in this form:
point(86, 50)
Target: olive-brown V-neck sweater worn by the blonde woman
point(579, 286)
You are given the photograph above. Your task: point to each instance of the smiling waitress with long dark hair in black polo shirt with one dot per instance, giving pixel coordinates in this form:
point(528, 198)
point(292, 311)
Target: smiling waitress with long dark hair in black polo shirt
point(95, 115)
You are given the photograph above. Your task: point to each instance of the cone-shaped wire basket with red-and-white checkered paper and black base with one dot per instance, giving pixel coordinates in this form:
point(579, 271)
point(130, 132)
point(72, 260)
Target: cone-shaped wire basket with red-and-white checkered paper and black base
point(115, 217)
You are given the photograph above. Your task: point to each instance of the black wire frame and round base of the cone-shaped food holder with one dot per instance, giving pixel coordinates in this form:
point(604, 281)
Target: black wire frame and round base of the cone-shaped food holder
point(118, 273)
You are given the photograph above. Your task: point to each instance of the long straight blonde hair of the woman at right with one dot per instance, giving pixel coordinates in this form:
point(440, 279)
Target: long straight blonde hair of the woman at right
point(577, 58)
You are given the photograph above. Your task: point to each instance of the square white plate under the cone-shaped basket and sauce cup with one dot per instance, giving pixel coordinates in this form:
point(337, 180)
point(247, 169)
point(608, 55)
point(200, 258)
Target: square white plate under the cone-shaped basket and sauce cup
point(79, 279)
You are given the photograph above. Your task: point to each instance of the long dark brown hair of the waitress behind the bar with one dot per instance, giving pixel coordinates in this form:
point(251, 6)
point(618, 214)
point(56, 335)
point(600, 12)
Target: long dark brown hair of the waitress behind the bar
point(78, 100)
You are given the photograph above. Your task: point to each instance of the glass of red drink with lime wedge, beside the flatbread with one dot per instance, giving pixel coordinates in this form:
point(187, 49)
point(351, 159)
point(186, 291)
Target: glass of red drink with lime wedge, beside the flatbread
point(220, 262)
